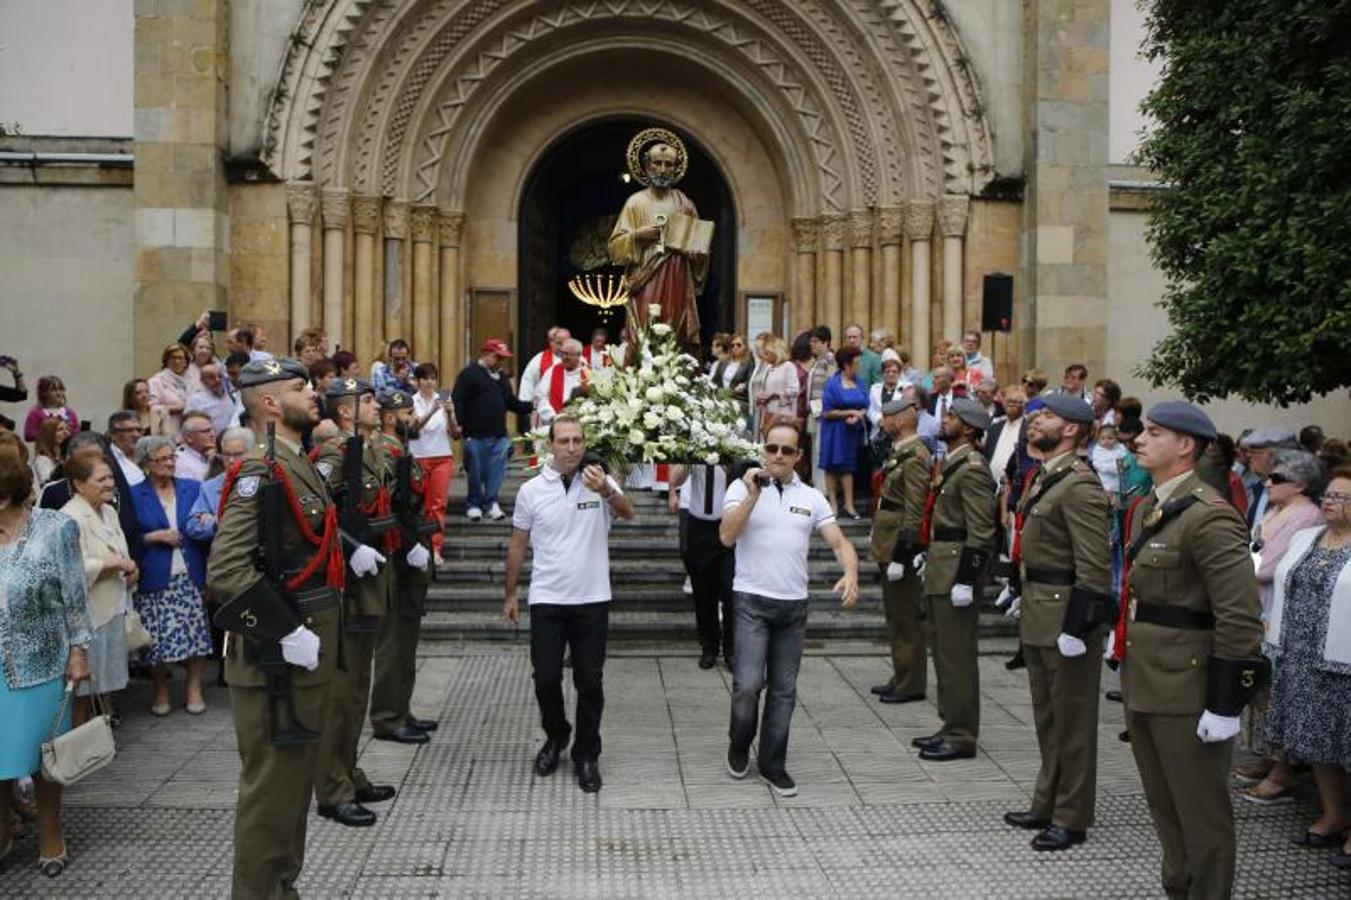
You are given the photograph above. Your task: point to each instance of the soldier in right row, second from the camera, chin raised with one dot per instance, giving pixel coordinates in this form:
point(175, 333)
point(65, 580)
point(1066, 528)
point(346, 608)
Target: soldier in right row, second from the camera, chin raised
point(1065, 606)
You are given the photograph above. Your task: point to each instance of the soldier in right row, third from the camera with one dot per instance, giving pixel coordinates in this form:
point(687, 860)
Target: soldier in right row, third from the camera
point(961, 541)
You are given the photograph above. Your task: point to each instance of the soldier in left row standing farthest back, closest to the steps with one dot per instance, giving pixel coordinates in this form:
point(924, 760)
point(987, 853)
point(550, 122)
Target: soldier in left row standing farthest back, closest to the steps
point(397, 647)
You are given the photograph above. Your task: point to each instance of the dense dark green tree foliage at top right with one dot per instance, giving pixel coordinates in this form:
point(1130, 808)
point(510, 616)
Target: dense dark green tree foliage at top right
point(1253, 134)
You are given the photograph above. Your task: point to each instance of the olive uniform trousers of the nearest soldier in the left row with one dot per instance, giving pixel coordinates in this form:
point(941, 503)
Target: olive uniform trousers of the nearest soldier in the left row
point(275, 786)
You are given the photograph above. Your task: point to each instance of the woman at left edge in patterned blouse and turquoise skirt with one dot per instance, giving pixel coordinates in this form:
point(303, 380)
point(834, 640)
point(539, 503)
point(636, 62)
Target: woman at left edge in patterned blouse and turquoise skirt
point(44, 640)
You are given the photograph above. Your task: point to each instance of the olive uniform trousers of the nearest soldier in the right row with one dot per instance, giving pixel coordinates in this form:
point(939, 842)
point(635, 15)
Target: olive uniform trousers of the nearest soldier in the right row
point(1187, 784)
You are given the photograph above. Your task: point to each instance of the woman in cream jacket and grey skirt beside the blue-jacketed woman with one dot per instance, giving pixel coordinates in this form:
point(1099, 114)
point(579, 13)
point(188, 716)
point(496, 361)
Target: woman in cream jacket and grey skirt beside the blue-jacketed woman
point(109, 570)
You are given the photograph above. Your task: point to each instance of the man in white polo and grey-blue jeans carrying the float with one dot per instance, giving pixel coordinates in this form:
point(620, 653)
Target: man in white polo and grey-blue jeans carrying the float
point(769, 517)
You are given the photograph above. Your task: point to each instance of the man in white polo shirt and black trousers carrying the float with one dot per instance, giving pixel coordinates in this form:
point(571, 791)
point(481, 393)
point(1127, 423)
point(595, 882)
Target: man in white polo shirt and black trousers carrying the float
point(564, 514)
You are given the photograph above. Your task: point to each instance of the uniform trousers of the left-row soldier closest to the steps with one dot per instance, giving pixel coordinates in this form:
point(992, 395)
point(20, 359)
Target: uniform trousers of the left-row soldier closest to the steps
point(397, 653)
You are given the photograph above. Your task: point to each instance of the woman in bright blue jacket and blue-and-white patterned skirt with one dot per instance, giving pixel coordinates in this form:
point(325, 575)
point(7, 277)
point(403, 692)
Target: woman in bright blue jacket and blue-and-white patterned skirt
point(174, 571)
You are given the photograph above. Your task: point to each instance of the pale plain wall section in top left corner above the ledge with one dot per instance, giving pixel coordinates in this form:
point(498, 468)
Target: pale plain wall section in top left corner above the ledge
point(66, 67)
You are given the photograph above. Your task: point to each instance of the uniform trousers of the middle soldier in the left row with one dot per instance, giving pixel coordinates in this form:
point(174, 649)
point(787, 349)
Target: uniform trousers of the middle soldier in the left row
point(340, 776)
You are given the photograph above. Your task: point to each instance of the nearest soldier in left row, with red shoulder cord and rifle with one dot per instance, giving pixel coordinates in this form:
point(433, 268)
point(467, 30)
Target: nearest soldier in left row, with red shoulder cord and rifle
point(299, 616)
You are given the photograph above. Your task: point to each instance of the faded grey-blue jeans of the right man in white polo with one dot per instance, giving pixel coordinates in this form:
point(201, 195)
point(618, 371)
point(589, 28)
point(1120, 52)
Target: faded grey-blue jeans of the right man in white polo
point(769, 651)
